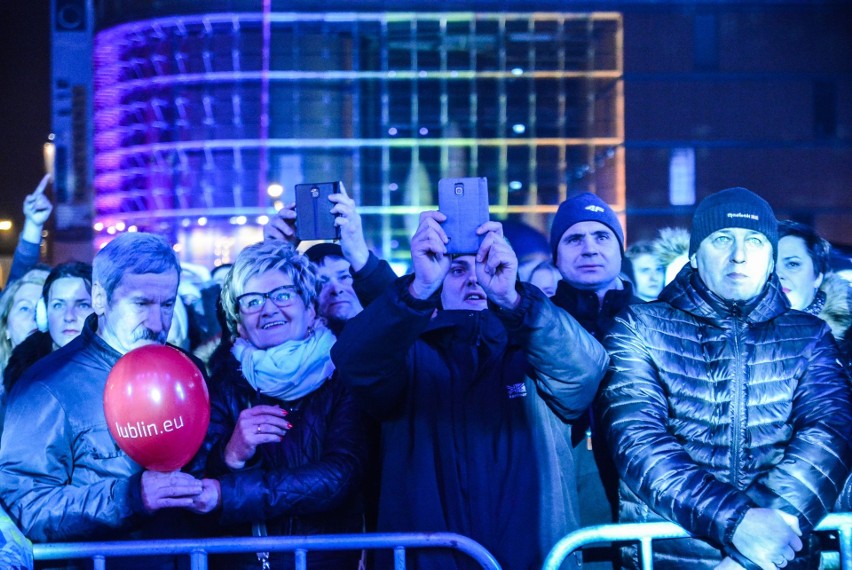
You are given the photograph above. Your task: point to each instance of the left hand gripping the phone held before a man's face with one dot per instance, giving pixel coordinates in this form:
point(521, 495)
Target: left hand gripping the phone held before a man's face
point(429, 255)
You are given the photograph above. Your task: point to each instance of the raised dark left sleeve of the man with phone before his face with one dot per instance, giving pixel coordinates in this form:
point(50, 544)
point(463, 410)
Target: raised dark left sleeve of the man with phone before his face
point(371, 353)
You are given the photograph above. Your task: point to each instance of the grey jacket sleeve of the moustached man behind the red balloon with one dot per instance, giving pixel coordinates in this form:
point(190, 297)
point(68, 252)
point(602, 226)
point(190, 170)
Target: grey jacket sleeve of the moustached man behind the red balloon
point(37, 459)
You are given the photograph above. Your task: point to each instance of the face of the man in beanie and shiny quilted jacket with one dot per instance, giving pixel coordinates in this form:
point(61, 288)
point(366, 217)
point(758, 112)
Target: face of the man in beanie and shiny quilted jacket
point(734, 263)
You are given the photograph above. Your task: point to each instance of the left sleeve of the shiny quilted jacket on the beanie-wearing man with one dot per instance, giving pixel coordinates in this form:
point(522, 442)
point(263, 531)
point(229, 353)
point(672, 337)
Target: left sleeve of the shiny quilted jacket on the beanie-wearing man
point(633, 410)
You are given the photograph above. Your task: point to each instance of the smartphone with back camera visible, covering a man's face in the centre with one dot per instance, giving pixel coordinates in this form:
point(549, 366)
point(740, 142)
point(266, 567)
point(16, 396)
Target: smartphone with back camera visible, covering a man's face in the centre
point(465, 203)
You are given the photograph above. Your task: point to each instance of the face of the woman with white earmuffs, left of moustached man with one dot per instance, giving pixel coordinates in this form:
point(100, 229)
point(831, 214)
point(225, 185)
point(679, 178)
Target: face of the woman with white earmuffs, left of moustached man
point(68, 305)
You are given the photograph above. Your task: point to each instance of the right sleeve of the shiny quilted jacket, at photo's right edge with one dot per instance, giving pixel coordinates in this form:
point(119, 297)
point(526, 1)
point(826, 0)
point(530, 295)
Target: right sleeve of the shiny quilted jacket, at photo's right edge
point(816, 460)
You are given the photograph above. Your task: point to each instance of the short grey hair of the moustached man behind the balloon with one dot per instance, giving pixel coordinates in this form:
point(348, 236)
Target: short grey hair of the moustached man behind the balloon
point(134, 253)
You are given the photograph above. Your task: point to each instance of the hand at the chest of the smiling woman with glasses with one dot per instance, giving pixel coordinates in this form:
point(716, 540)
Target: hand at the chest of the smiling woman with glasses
point(257, 425)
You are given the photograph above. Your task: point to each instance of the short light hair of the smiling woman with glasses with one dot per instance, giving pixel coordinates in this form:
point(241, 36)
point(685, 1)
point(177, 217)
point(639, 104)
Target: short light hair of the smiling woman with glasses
point(260, 258)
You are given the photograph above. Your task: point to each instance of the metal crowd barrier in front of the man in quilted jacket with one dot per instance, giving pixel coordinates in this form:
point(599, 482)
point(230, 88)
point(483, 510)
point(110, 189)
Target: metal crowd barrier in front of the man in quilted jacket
point(646, 533)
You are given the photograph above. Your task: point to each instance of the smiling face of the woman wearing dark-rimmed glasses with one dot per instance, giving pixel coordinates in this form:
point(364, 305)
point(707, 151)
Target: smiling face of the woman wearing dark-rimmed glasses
point(270, 320)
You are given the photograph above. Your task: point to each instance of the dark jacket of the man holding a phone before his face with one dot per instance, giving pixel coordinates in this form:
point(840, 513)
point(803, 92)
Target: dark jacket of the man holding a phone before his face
point(474, 408)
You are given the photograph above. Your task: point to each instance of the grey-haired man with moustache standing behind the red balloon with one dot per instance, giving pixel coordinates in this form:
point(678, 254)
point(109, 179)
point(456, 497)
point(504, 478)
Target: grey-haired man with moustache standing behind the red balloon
point(62, 475)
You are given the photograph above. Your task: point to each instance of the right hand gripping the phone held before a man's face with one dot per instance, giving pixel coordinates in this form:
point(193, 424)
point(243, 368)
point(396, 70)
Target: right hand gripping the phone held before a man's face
point(497, 266)
